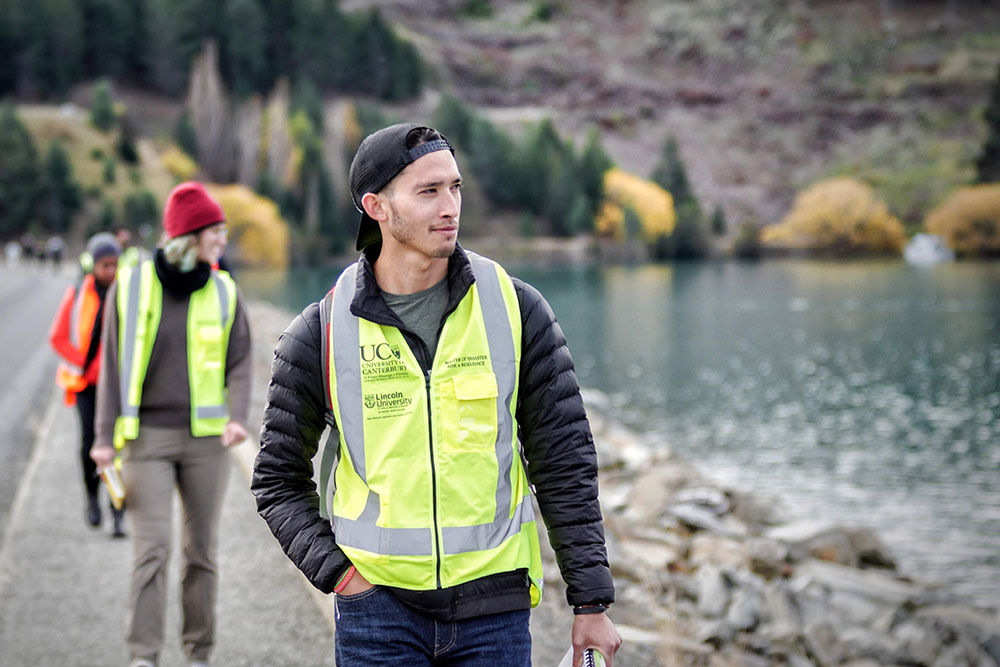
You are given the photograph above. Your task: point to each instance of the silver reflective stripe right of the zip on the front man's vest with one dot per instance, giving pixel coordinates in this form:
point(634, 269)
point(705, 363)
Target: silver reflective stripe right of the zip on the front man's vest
point(503, 356)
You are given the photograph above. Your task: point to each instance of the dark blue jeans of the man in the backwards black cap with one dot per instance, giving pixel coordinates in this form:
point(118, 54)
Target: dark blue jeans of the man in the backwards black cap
point(375, 628)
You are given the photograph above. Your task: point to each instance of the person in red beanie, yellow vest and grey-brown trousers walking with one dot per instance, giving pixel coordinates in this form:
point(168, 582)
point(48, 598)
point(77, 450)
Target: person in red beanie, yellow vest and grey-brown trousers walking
point(173, 395)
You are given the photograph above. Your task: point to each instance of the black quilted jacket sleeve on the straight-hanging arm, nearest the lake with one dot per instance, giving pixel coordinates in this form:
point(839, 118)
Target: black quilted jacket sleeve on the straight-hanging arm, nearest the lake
point(559, 448)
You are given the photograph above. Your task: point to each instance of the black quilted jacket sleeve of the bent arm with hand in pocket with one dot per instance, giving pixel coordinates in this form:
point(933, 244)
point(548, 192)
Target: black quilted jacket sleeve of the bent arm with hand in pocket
point(294, 420)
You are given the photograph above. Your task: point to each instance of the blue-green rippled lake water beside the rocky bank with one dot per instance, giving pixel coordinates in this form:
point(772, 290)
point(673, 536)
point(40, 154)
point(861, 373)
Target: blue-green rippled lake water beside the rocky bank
point(865, 393)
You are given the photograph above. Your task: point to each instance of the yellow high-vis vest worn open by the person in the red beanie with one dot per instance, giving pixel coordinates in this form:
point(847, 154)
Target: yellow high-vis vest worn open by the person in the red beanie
point(211, 310)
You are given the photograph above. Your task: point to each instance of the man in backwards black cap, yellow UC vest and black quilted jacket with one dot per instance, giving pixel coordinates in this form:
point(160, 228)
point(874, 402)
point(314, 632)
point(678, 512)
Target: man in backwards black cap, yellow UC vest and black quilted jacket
point(452, 401)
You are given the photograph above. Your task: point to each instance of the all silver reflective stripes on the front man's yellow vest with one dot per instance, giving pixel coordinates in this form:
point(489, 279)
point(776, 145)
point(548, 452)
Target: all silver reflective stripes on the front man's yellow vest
point(363, 533)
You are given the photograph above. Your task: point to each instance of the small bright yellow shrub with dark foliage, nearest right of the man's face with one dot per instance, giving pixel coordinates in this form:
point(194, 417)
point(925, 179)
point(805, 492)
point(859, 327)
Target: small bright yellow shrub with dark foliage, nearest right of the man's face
point(652, 204)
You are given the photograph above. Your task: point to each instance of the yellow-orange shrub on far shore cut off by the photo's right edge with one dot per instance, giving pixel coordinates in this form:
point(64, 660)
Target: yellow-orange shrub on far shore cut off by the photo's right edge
point(969, 220)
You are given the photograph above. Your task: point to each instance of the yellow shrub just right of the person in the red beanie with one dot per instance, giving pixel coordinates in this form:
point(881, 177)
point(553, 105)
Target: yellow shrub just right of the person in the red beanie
point(256, 228)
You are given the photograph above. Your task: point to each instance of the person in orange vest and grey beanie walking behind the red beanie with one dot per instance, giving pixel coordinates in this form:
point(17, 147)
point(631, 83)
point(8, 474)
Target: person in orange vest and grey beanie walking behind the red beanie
point(76, 336)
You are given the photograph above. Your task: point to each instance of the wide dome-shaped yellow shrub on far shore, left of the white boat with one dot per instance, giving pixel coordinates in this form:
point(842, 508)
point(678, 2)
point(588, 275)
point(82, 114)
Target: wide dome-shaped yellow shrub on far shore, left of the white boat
point(842, 215)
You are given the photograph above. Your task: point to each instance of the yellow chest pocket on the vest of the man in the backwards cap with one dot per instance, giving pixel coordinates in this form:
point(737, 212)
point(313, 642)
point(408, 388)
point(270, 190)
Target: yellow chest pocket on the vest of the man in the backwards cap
point(469, 413)
